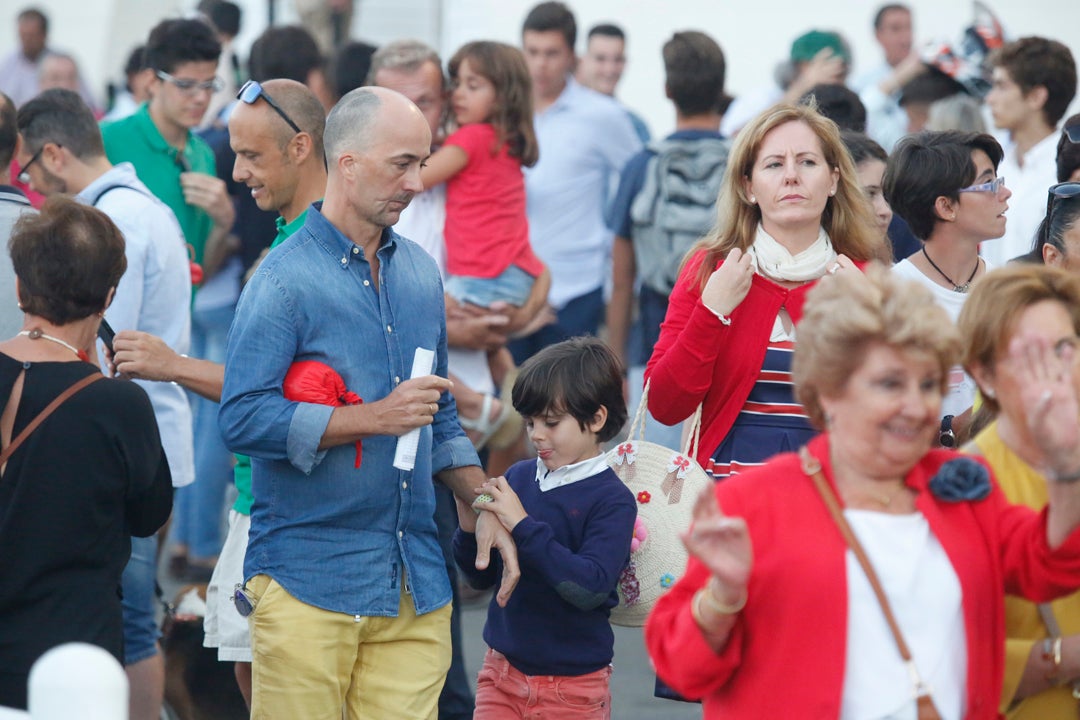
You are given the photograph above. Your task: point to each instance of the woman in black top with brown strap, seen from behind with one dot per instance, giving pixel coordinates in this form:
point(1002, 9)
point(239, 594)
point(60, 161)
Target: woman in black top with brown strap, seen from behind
point(93, 473)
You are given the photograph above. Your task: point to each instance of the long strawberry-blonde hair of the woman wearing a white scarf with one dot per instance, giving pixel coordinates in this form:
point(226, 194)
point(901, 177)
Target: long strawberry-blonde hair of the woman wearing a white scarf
point(848, 218)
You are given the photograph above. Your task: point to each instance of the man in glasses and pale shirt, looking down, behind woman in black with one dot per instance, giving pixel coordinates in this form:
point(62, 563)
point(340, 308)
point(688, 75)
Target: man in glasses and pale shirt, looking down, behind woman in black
point(62, 153)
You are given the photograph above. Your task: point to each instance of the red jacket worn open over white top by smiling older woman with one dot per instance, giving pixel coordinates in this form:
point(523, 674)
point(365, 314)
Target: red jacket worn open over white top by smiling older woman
point(786, 656)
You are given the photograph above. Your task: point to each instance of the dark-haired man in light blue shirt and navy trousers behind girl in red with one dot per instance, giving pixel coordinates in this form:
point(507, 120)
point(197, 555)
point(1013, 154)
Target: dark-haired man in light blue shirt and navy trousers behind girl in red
point(586, 139)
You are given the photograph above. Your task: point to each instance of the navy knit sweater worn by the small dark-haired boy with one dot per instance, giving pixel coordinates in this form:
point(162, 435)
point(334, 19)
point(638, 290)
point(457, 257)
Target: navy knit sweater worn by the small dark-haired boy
point(572, 548)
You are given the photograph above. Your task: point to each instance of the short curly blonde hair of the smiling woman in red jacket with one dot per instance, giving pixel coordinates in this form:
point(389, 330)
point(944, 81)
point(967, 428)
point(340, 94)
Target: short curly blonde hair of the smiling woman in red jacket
point(848, 314)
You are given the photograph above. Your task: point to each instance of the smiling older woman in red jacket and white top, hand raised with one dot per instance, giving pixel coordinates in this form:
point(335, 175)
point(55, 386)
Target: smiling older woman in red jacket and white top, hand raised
point(772, 586)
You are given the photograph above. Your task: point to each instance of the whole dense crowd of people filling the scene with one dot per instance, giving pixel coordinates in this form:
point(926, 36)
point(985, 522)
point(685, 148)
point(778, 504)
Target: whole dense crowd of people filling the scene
point(360, 329)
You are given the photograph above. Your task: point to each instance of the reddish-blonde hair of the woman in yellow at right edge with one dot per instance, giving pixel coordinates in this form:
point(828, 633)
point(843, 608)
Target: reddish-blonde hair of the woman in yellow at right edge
point(992, 313)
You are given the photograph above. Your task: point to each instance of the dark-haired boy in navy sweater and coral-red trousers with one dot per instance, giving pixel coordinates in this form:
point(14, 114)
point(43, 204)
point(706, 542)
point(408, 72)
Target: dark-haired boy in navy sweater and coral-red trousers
point(573, 520)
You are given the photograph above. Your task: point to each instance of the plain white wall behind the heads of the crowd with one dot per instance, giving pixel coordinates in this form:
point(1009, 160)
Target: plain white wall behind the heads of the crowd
point(755, 35)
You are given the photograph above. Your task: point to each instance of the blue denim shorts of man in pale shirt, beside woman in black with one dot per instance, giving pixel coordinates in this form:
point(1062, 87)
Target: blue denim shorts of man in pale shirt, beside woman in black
point(139, 596)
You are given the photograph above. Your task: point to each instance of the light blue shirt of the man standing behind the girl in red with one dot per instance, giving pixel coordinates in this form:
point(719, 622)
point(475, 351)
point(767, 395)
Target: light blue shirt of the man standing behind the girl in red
point(586, 139)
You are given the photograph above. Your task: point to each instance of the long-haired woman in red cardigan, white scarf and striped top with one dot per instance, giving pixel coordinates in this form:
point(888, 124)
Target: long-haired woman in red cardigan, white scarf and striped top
point(791, 210)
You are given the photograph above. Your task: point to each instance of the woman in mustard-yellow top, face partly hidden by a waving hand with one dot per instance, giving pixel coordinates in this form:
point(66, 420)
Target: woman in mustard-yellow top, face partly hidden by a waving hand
point(1043, 646)
